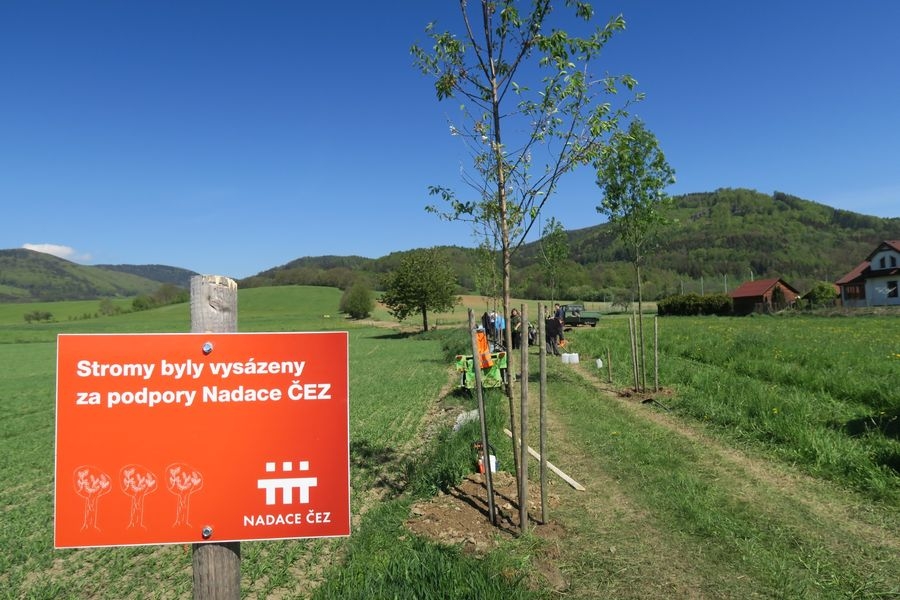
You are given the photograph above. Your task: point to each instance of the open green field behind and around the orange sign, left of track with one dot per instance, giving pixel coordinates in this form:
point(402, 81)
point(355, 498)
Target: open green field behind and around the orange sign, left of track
point(393, 382)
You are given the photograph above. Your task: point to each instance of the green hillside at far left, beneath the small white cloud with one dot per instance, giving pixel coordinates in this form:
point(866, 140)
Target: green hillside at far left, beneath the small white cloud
point(29, 276)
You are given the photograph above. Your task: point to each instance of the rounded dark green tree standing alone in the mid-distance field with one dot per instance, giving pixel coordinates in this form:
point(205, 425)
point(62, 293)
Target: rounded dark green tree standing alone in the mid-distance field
point(424, 281)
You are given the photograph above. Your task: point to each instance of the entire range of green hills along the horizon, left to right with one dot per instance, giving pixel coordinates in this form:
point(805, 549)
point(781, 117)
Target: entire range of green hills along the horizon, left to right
point(729, 234)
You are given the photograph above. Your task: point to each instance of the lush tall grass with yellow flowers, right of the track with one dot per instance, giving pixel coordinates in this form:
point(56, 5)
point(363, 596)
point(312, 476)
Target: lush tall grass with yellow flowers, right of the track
point(818, 392)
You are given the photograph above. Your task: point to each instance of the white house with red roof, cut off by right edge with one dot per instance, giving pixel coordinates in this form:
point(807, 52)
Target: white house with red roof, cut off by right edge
point(874, 281)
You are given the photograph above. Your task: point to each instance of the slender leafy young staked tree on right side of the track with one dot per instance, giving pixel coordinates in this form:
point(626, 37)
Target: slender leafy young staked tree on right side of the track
point(633, 174)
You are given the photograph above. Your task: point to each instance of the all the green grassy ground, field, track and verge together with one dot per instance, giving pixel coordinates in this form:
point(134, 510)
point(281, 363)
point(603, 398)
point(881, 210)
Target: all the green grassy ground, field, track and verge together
point(765, 468)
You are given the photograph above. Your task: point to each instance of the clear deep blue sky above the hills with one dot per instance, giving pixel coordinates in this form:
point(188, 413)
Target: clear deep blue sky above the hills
point(232, 137)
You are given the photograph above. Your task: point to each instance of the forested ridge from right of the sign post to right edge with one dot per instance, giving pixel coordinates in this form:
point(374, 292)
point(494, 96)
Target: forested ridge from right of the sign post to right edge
point(722, 237)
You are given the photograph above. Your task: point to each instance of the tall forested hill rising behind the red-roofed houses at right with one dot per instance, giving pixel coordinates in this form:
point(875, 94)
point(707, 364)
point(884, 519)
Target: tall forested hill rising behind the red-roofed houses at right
point(736, 232)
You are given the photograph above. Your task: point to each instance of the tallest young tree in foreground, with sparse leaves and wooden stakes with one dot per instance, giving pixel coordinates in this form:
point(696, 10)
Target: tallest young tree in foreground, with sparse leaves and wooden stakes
point(556, 125)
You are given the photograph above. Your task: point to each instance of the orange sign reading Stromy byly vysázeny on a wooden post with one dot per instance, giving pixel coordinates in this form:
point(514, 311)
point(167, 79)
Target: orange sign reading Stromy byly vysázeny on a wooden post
point(180, 438)
